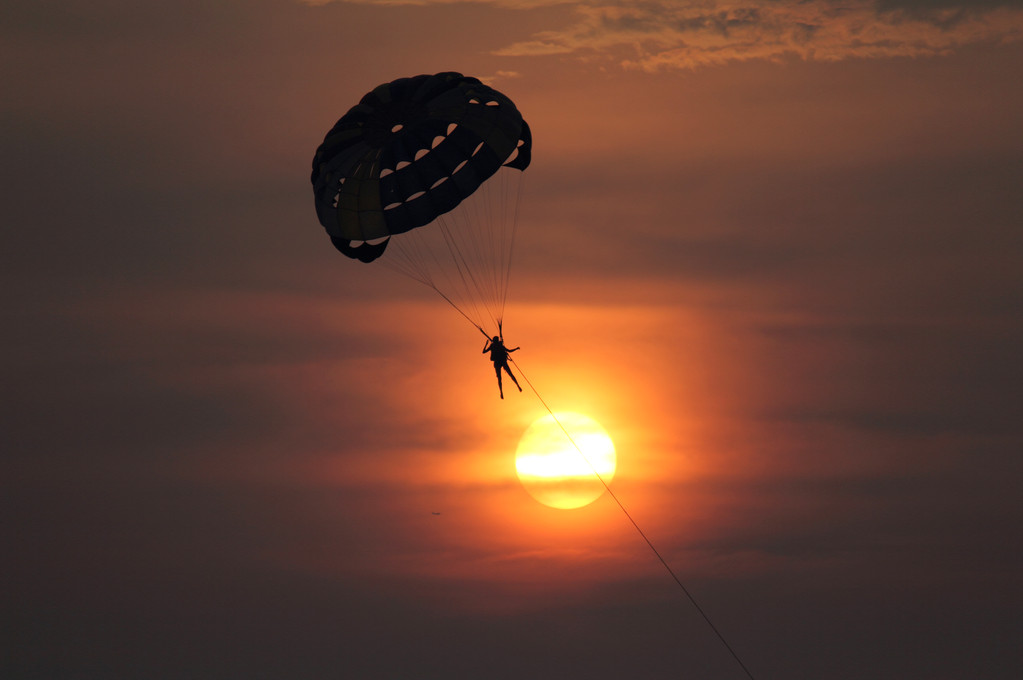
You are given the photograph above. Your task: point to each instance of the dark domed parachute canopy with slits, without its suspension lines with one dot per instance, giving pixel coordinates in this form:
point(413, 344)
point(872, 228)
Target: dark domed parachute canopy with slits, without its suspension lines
point(410, 152)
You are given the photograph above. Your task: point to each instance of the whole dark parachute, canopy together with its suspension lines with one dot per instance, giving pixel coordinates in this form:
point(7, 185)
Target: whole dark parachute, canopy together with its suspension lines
point(423, 176)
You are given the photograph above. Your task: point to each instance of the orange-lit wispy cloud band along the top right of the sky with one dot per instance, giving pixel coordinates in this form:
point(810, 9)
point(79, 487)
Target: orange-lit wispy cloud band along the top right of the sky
point(660, 35)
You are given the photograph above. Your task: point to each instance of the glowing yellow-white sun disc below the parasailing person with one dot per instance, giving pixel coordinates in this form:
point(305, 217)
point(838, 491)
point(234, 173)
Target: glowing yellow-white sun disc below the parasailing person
point(552, 469)
